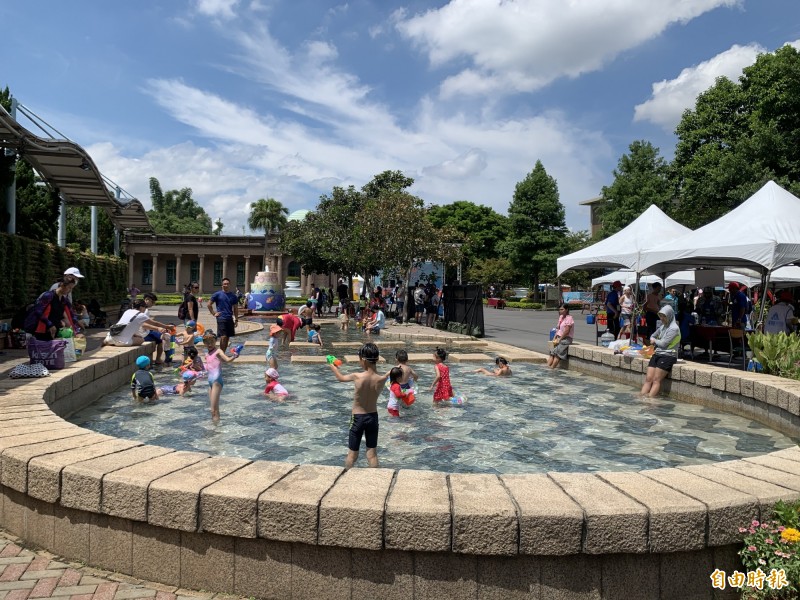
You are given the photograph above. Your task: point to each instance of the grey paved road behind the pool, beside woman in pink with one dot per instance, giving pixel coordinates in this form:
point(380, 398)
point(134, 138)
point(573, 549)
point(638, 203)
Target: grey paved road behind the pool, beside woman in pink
point(531, 328)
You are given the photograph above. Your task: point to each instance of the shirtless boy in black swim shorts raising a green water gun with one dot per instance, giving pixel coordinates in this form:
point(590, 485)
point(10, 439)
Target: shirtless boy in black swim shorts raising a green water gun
point(364, 419)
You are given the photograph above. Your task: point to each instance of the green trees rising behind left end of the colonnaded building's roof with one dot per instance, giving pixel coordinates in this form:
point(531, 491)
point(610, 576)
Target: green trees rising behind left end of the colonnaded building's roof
point(175, 211)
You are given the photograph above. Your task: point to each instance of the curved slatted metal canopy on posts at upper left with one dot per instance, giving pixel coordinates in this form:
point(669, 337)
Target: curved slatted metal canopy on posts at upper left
point(68, 168)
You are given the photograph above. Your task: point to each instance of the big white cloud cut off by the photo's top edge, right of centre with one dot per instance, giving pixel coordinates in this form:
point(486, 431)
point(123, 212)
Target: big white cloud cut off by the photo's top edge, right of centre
point(522, 45)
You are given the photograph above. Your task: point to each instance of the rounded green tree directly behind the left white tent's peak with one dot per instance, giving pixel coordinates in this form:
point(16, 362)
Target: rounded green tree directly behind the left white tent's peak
point(640, 179)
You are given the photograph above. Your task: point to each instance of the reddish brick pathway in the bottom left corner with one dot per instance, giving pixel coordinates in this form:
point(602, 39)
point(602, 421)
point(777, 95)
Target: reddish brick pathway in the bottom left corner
point(30, 574)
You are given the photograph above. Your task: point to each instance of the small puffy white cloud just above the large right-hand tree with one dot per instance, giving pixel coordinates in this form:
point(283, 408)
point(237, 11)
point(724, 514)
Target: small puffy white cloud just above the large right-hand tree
point(671, 97)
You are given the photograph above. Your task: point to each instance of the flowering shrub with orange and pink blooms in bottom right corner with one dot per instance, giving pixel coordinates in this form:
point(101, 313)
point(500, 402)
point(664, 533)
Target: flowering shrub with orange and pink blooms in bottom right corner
point(774, 544)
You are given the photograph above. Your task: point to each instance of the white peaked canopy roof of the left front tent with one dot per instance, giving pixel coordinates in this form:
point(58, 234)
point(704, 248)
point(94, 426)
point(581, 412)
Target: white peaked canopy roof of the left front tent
point(624, 249)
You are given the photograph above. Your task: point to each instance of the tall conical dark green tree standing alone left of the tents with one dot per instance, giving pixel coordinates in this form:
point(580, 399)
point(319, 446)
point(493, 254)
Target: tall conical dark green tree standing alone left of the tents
point(537, 226)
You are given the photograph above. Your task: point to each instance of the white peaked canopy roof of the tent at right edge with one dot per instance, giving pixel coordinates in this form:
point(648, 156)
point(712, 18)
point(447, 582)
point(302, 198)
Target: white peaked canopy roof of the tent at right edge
point(762, 234)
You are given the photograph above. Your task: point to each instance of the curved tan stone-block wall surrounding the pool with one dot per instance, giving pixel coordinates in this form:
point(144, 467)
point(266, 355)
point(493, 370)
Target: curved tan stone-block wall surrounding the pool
point(278, 530)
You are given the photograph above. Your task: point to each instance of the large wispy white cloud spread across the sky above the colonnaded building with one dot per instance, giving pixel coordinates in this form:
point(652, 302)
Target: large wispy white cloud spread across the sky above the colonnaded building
point(317, 125)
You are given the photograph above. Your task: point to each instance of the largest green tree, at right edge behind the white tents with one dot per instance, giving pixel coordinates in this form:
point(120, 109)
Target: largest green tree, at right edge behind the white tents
point(738, 136)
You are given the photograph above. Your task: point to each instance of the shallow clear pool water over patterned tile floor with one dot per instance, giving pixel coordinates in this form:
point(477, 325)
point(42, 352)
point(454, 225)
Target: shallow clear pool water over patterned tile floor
point(536, 421)
